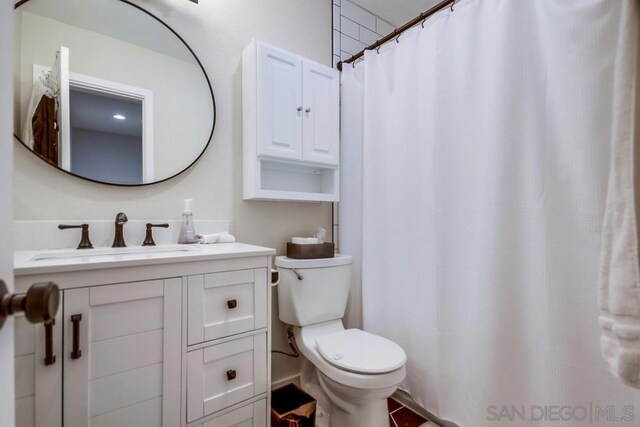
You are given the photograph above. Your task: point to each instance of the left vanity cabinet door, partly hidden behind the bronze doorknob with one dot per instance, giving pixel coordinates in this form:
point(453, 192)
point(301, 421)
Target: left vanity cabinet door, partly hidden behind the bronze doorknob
point(38, 386)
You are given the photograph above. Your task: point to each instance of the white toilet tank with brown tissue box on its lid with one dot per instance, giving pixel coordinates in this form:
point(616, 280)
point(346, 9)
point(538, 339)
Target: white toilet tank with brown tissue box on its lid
point(313, 290)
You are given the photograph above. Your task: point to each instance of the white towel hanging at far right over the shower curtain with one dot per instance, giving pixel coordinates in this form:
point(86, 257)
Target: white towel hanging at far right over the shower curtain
point(619, 292)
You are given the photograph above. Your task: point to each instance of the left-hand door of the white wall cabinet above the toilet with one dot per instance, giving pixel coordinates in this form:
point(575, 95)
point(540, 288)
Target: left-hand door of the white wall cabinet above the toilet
point(279, 109)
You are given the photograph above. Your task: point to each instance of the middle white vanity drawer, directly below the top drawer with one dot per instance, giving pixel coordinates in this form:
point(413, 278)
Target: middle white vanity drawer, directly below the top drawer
point(225, 374)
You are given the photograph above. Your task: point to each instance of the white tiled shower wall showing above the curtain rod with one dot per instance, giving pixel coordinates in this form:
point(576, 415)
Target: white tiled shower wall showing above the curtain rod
point(354, 28)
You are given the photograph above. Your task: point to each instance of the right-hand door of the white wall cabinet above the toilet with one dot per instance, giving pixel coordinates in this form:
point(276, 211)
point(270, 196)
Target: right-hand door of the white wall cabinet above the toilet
point(321, 124)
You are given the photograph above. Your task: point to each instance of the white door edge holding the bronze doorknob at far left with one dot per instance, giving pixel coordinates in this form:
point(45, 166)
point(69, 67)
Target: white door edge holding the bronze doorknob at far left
point(6, 212)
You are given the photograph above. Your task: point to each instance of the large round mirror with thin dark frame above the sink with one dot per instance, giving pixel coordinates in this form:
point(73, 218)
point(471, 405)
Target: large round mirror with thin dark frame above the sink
point(105, 91)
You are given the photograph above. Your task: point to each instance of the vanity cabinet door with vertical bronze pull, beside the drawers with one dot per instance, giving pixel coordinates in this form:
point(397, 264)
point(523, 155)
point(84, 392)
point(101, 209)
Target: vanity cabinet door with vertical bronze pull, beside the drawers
point(123, 365)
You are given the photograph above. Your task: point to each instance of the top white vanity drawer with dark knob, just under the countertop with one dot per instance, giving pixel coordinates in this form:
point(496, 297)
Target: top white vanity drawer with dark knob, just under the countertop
point(226, 303)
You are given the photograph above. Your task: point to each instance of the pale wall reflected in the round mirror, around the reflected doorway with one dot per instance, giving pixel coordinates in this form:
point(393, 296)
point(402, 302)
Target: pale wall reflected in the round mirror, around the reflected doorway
point(182, 108)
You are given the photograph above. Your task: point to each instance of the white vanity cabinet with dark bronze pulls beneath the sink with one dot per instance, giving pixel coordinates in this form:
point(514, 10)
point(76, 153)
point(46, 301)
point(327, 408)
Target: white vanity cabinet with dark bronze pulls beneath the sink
point(177, 342)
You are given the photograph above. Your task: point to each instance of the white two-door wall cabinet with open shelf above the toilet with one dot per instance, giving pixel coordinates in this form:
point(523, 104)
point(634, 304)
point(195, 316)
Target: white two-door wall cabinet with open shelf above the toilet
point(291, 117)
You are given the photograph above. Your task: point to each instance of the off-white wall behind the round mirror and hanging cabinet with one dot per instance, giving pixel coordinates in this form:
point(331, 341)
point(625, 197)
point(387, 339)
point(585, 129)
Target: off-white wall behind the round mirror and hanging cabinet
point(217, 31)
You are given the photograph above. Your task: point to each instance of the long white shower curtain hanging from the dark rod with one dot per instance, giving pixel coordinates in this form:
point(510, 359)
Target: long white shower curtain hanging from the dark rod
point(480, 146)
